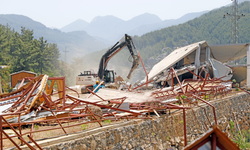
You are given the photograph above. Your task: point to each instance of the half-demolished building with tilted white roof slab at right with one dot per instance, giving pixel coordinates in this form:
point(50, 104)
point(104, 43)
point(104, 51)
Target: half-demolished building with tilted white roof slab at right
point(197, 55)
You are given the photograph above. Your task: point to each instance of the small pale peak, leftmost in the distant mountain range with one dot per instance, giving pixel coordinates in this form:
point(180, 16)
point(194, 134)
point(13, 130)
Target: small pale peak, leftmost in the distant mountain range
point(78, 25)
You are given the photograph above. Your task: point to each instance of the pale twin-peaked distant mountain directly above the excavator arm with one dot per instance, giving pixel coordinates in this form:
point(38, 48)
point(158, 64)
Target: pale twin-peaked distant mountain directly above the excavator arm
point(112, 28)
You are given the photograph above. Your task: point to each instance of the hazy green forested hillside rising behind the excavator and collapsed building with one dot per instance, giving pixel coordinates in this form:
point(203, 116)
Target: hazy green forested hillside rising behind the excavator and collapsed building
point(155, 45)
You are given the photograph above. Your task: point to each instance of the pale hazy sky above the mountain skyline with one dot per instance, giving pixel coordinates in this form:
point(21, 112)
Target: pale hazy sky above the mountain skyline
point(58, 13)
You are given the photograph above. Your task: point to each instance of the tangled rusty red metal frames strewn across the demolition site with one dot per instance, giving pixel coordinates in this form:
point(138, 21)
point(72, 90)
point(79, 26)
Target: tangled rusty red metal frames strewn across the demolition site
point(185, 95)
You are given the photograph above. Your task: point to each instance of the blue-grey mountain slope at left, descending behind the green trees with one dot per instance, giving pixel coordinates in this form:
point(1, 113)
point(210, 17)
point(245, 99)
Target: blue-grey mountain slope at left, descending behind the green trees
point(77, 43)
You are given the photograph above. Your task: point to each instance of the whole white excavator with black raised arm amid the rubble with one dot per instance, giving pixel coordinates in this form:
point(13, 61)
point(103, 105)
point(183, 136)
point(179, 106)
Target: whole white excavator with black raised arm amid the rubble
point(108, 76)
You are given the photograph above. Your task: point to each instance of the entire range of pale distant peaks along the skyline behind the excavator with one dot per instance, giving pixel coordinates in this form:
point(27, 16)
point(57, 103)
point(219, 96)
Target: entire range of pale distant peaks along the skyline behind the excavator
point(112, 28)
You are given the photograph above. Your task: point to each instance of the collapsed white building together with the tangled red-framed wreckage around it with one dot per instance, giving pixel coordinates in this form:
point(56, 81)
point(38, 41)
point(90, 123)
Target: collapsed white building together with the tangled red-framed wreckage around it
point(189, 76)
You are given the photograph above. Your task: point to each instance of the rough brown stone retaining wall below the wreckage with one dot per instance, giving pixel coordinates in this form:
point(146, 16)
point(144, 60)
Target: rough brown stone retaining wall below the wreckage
point(165, 132)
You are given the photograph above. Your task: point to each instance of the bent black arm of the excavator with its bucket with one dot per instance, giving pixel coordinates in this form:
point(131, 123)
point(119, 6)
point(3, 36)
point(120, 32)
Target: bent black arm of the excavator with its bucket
point(114, 50)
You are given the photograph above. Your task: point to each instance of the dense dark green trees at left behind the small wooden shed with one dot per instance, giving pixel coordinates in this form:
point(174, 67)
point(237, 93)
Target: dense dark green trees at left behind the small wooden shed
point(21, 51)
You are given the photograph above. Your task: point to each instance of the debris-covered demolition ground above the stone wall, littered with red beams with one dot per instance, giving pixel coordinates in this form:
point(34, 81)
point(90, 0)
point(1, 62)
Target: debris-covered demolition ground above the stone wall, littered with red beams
point(70, 112)
